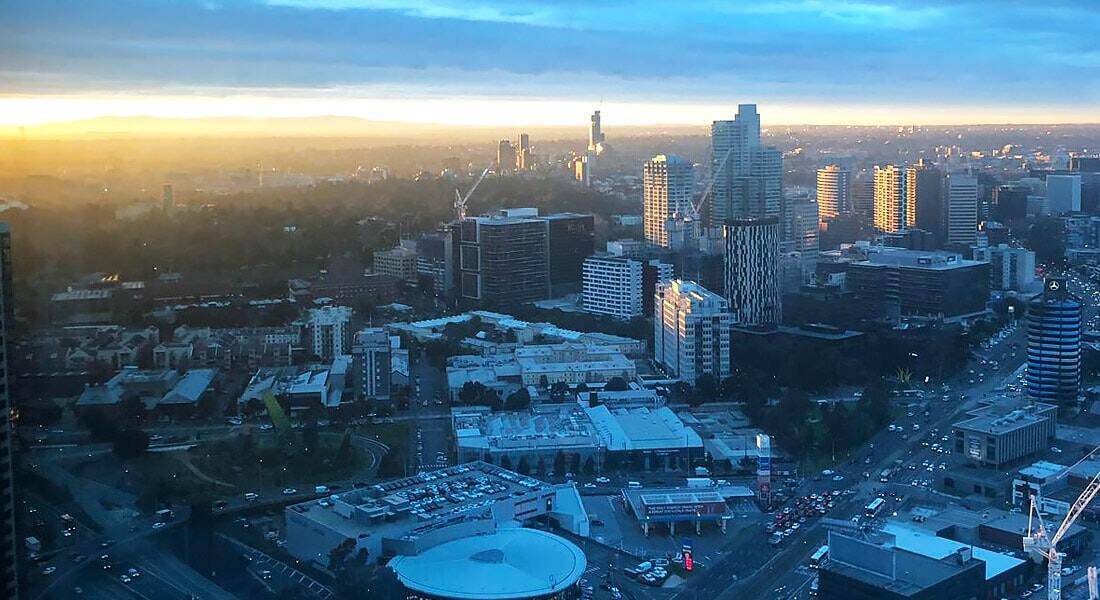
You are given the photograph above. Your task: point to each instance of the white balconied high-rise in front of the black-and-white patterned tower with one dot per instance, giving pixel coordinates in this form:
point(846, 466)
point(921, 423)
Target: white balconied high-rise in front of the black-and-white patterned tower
point(691, 331)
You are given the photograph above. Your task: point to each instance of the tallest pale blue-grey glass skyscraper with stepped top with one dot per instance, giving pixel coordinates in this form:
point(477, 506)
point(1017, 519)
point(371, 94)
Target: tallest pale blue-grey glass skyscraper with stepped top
point(749, 179)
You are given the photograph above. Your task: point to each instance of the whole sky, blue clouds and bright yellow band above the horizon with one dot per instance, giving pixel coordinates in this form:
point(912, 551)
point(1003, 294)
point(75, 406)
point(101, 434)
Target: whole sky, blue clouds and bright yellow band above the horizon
point(553, 62)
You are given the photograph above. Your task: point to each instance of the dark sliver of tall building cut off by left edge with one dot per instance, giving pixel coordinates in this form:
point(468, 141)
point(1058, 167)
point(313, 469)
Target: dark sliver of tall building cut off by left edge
point(8, 544)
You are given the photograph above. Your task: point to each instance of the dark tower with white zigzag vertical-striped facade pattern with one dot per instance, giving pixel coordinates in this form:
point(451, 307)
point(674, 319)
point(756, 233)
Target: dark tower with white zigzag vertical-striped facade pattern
point(753, 278)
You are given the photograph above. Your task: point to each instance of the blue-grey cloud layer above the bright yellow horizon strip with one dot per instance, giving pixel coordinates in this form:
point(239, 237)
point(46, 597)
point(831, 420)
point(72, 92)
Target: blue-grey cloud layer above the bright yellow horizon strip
point(809, 51)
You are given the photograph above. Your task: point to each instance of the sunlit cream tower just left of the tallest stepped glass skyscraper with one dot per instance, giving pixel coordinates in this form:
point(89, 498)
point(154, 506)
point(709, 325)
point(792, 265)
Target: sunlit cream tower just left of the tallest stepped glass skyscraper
point(667, 194)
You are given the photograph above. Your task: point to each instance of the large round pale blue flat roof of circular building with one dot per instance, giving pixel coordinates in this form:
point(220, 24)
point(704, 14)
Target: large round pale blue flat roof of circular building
point(509, 564)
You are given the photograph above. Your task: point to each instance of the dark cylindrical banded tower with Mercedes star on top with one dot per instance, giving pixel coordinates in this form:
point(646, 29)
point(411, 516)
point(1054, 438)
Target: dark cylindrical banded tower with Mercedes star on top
point(1054, 345)
